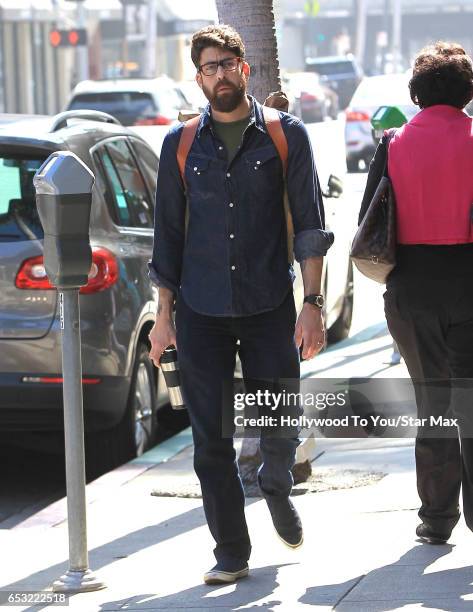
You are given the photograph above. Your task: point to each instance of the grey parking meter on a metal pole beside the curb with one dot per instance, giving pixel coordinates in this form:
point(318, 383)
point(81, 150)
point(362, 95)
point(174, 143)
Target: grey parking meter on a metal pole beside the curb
point(63, 197)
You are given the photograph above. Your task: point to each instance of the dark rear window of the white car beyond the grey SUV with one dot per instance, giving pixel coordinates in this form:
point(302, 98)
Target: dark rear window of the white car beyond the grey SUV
point(126, 106)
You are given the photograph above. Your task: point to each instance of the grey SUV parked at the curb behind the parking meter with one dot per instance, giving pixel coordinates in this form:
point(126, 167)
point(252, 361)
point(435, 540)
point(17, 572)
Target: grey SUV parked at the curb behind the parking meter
point(117, 306)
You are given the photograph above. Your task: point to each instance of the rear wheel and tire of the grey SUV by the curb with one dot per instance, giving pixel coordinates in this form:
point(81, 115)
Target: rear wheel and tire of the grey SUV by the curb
point(136, 432)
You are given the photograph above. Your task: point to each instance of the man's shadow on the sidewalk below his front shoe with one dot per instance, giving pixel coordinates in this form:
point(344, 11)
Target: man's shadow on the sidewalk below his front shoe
point(260, 584)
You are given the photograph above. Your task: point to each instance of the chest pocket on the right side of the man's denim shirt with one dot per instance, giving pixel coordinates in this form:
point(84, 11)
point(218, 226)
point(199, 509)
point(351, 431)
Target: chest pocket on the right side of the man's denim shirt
point(264, 170)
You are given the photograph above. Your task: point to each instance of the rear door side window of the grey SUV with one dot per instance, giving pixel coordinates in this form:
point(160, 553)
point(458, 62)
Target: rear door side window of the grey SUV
point(131, 196)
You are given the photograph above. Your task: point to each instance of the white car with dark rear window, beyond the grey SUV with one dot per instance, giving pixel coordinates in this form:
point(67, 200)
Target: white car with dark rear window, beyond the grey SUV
point(132, 101)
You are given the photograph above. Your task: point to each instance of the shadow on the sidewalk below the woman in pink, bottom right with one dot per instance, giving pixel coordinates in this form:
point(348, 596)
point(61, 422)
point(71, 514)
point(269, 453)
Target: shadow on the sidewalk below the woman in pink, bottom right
point(402, 583)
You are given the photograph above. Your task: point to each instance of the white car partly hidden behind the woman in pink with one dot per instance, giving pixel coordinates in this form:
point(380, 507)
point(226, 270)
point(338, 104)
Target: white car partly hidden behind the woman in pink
point(373, 92)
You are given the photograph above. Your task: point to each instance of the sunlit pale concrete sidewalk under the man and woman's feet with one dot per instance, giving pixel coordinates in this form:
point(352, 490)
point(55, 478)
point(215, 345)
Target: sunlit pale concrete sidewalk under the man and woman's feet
point(359, 554)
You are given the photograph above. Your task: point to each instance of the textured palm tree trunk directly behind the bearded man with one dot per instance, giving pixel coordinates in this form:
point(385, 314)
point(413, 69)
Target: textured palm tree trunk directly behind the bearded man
point(254, 21)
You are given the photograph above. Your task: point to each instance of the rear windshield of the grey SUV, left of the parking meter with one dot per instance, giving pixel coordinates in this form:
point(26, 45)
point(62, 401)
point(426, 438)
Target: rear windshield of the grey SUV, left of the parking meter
point(19, 218)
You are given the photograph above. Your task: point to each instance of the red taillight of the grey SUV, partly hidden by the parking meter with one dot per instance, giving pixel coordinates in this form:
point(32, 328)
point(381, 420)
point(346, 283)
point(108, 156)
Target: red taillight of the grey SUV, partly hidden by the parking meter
point(103, 273)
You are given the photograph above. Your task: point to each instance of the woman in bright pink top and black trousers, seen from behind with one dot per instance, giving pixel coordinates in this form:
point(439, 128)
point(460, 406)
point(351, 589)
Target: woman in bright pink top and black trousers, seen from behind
point(429, 296)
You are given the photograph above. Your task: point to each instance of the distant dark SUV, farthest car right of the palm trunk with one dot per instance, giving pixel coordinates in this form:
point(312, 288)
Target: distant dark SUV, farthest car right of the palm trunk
point(340, 73)
